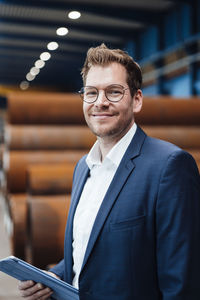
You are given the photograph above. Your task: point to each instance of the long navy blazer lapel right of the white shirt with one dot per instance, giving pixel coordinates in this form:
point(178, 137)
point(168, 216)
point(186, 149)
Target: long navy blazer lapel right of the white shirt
point(125, 168)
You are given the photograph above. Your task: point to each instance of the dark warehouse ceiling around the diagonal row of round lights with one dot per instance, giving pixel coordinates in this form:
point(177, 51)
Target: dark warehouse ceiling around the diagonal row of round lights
point(27, 27)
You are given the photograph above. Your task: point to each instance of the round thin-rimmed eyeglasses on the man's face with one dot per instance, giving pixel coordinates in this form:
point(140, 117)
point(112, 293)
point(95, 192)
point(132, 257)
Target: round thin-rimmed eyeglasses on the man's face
point(113, 93)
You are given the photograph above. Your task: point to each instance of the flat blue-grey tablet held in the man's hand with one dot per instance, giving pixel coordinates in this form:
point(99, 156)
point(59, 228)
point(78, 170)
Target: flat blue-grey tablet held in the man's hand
point(21, 270)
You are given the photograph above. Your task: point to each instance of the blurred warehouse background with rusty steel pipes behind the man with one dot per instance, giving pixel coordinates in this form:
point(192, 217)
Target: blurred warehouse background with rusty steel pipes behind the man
point(43, 44)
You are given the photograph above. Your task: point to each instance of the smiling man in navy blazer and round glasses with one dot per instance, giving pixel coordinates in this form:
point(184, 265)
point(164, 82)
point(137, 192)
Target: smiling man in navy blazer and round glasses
point(133, 230)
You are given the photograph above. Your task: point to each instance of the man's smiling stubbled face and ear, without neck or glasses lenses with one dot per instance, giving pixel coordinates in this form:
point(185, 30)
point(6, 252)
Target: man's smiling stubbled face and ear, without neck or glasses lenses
point(108, 120)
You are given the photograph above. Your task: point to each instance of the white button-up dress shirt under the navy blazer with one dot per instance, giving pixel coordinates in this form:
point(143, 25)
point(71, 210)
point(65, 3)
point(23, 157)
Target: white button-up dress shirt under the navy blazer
point(96, 186)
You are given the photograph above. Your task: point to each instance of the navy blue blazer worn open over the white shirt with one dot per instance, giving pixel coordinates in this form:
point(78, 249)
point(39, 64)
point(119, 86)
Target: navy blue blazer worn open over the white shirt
point(145, 242)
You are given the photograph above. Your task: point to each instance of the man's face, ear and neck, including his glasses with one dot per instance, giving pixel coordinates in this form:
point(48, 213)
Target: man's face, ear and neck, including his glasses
point(108, 117)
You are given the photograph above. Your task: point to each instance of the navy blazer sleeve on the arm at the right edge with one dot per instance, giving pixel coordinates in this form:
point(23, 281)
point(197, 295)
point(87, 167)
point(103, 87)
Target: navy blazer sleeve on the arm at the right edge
point(178, 229)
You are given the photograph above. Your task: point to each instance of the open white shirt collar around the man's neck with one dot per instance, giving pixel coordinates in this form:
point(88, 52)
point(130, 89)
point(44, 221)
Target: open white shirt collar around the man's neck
point(115, 154)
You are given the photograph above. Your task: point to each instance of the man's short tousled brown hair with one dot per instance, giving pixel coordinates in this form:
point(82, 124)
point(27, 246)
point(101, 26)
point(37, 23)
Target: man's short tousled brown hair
point(103, 56)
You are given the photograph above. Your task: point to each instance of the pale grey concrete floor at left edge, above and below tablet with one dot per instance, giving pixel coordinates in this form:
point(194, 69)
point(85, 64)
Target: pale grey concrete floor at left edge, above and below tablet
point(8, 285)
